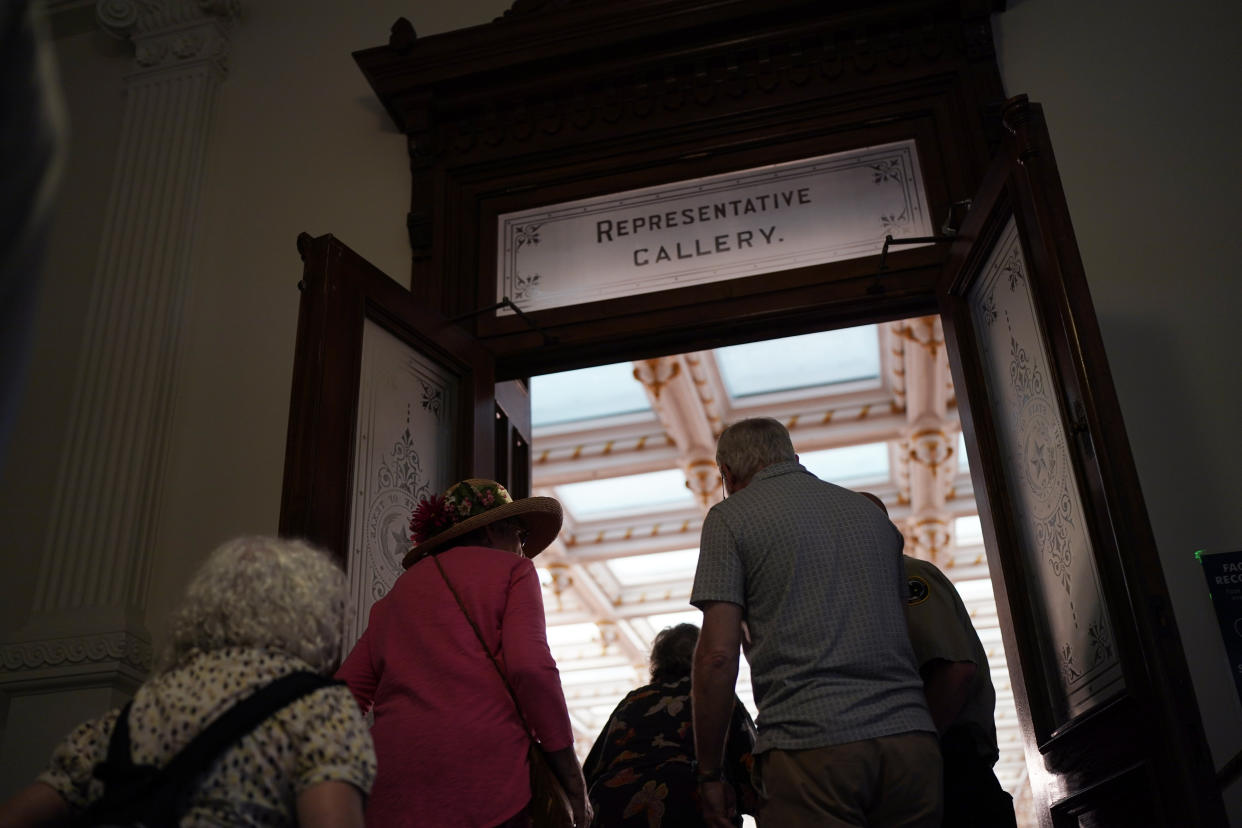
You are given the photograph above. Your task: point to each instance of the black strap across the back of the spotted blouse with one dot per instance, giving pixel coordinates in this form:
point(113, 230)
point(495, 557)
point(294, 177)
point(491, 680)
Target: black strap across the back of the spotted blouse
point(166, 791)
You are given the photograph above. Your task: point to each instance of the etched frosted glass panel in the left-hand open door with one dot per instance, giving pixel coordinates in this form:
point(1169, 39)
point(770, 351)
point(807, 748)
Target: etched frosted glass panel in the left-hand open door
point(403, 451)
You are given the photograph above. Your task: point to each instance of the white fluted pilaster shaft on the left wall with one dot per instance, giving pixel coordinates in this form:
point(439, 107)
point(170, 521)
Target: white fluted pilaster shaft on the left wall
point(116, 443)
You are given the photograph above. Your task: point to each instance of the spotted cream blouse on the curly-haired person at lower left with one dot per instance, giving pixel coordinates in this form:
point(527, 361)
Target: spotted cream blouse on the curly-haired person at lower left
point(317, 738)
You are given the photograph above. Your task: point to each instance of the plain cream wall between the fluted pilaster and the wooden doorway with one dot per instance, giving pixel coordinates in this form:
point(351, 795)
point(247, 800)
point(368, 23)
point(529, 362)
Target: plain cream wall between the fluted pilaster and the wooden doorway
point(301, 145)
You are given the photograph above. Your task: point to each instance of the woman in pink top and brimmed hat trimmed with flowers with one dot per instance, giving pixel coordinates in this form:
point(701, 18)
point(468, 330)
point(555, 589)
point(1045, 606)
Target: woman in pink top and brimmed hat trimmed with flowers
point(450, 740)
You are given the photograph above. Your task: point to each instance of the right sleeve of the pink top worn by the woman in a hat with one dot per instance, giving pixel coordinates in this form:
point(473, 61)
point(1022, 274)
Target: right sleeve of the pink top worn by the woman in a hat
point(528, 662)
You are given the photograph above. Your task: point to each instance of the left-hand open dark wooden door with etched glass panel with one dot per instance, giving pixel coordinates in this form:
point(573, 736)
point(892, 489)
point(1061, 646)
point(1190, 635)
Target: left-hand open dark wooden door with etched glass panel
point(391, 403)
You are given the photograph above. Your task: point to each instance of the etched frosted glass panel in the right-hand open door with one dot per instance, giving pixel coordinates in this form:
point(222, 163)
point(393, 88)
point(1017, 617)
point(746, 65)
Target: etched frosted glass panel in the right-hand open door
point(1056, 548)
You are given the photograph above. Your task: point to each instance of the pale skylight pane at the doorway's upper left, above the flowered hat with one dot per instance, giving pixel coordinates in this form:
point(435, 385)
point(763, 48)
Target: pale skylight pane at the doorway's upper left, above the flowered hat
point(587, 394)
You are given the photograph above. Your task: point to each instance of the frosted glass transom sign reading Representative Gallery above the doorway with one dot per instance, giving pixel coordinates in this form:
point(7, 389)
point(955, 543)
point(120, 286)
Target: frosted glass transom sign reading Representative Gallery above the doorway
point(776, 218)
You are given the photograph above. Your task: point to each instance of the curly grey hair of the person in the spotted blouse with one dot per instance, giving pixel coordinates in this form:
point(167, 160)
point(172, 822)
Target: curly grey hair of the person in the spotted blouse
point(264, 593)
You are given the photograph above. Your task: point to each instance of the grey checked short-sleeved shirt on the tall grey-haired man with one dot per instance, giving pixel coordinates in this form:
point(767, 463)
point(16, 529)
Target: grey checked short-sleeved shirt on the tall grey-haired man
point(818, 573)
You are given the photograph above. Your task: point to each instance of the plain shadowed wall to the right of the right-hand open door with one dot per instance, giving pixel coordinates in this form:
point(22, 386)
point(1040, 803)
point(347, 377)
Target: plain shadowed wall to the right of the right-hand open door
point(1141, 100)
